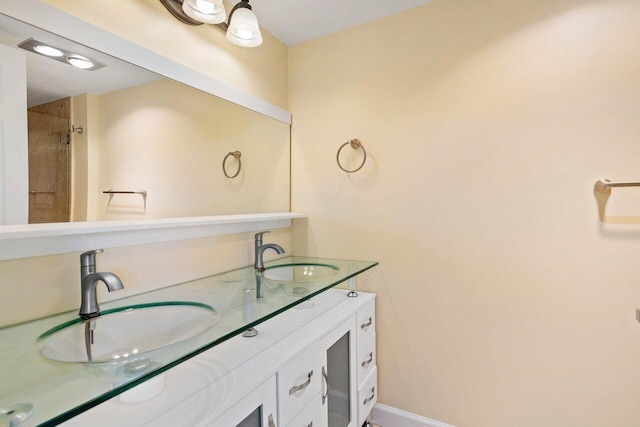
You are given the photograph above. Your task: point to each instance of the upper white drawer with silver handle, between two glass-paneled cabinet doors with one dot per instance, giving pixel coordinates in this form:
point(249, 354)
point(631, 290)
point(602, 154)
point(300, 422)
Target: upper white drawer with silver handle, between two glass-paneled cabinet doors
point(298, 382)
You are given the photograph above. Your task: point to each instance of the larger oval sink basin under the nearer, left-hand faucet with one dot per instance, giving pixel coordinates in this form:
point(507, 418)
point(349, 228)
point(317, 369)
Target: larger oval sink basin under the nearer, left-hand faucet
point(127, 334)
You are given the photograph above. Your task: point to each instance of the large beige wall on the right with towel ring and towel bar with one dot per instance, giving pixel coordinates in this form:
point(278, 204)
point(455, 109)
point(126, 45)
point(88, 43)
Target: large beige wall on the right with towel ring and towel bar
point(502, 300)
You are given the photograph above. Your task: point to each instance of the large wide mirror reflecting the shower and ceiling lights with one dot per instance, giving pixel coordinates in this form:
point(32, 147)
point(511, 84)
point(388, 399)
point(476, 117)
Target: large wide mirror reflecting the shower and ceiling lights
point(156, 146)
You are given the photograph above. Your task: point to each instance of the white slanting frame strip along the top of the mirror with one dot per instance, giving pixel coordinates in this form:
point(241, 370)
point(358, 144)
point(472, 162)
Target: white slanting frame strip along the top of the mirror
point(48, 18)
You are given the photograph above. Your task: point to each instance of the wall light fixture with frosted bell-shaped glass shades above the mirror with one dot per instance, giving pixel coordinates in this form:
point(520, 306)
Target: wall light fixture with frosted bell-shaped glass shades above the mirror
point(242, 28)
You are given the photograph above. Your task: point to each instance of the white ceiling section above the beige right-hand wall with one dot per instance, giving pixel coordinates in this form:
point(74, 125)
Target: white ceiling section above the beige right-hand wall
point(297, 21)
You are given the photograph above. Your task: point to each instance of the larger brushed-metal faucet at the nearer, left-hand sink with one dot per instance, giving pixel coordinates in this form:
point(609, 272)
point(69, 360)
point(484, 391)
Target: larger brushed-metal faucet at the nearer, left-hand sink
point(89, 281)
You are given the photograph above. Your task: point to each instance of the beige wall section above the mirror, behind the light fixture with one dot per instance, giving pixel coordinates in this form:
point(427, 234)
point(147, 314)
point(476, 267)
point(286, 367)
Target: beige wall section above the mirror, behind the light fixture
point(261, 71)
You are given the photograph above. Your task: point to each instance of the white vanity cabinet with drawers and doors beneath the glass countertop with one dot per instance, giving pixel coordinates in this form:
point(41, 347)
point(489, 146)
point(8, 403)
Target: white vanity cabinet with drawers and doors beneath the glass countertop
point(305, 368)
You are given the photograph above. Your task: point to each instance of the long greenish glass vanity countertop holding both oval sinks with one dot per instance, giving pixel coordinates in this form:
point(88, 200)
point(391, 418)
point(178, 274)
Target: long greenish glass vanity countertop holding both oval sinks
point(63, 365)
